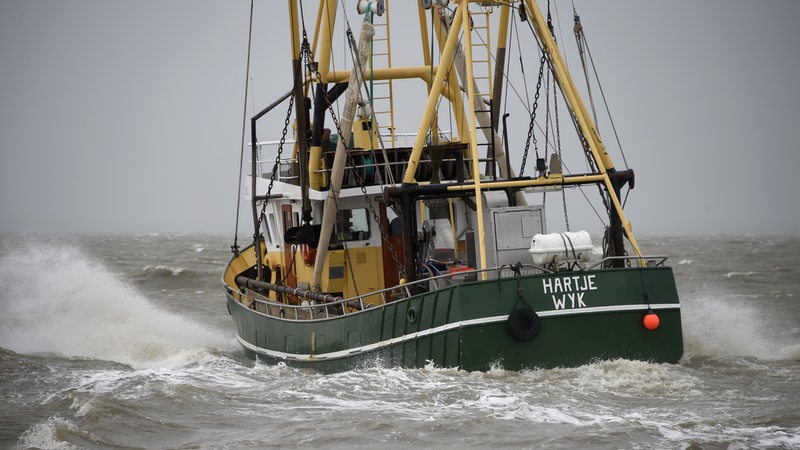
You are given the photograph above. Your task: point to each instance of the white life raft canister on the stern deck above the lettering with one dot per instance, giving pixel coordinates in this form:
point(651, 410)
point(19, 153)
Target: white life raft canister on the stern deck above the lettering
point(564, 247)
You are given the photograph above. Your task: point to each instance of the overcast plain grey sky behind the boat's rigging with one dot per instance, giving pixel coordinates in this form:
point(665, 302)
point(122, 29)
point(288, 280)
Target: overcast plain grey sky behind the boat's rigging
point(126, 116)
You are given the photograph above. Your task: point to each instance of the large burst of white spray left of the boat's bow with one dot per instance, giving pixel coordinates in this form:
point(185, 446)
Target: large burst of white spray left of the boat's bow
point(57, 300)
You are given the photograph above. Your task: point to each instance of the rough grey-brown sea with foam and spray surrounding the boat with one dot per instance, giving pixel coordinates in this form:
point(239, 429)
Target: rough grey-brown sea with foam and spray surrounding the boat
point(124, 341)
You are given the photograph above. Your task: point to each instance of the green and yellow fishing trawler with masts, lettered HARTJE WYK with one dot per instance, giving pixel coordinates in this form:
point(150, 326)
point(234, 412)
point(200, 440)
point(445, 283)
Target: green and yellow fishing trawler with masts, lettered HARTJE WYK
point(428, 248)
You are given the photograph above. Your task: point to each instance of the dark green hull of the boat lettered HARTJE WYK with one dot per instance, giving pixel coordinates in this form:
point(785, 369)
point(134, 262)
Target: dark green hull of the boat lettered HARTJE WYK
point(583, 316)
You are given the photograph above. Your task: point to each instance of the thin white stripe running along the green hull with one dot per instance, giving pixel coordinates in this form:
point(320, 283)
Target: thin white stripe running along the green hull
point(440, 329)
